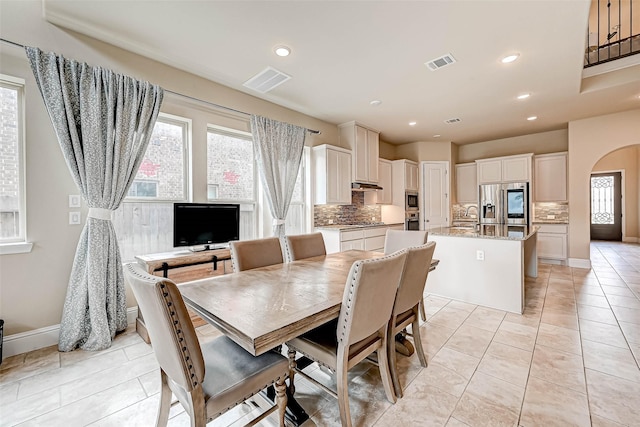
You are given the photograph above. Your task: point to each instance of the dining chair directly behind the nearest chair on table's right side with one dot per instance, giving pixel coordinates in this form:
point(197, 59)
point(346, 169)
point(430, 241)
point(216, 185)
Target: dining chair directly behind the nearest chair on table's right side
point(405, 307)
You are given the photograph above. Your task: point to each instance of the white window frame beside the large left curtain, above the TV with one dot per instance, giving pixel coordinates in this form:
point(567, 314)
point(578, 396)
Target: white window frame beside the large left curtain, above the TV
point(187, 126)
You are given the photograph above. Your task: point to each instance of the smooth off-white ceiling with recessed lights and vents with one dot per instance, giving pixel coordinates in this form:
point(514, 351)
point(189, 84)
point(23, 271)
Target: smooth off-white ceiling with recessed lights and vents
point(347, 53)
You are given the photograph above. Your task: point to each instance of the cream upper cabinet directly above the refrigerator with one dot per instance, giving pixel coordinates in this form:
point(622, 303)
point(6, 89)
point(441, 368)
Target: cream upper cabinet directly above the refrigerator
point(505, 169)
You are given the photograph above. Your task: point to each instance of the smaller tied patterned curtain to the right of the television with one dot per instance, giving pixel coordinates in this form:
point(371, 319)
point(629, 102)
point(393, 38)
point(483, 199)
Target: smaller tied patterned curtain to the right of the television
point(278, 150)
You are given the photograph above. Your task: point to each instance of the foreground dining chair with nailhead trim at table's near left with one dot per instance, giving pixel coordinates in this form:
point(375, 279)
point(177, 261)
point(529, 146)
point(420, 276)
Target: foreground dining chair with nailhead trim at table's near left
point(207, 380)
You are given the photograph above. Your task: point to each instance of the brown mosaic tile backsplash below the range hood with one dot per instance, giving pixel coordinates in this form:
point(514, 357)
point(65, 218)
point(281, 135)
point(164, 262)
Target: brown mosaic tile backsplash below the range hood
point(355, 213)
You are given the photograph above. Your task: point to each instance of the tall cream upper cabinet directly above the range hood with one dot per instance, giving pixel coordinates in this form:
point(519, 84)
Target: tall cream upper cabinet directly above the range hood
point(365, 148)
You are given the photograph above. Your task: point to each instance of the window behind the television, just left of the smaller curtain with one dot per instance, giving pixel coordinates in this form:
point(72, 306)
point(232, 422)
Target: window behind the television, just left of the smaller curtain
point(232, 175)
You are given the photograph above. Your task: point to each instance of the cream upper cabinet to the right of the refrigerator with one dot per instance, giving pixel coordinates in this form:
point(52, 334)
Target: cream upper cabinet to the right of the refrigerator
point(550, 183)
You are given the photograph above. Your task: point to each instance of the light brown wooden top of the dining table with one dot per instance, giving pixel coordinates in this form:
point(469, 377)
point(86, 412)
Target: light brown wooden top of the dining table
point(264, 307)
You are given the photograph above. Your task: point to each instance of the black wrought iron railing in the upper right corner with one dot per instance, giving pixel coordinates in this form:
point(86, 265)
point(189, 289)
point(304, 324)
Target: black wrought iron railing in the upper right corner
point(612, 34)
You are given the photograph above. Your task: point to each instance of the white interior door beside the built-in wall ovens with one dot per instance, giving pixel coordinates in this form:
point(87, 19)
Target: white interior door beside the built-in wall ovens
point(435, 194)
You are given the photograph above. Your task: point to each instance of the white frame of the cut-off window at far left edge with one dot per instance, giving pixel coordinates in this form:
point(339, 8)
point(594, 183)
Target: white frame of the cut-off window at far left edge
point(18, 244)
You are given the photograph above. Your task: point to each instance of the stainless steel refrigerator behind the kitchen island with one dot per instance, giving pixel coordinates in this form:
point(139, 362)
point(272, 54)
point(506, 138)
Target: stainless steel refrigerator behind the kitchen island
point(506, 203)
